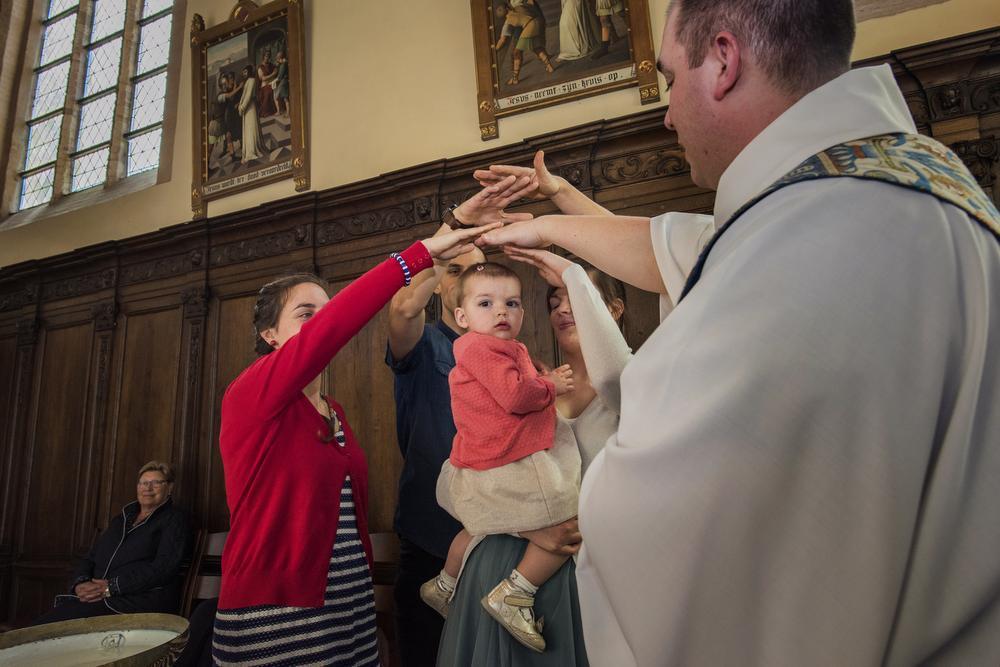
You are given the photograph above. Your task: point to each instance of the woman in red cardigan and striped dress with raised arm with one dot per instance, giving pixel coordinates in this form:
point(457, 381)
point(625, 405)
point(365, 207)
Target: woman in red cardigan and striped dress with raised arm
point(296, 582)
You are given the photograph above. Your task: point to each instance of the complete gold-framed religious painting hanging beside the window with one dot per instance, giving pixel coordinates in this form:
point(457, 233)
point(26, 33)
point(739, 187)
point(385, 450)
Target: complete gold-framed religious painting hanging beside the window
point(249, 101)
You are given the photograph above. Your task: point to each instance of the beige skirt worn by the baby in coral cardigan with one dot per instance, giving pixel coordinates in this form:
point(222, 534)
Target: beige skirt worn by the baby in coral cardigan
point(540, 490)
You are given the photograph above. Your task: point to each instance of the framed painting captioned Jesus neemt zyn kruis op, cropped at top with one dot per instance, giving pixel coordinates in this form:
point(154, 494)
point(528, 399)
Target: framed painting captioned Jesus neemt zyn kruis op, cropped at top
point(535, 53)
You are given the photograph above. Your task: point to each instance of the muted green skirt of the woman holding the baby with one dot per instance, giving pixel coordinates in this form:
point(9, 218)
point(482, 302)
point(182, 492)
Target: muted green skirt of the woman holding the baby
point(471, 637)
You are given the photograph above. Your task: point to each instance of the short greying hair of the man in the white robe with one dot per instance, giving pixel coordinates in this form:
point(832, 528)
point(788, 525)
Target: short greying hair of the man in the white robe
point(800, 44)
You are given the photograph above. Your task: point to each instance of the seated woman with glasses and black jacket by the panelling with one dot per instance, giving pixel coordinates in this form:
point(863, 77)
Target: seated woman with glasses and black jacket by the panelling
point(133, 566)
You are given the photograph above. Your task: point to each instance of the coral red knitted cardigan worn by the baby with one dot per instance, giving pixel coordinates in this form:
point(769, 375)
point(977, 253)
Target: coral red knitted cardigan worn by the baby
point(503, 409)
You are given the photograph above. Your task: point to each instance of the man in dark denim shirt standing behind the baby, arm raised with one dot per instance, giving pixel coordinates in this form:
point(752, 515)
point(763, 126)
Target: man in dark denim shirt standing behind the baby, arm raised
point(421, 357)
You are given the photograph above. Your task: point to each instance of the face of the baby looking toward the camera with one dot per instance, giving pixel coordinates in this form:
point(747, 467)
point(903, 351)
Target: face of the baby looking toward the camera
point(492, 306)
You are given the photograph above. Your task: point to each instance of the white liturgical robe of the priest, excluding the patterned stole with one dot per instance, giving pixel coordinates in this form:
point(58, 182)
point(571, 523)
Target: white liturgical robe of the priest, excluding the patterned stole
point(807, 468)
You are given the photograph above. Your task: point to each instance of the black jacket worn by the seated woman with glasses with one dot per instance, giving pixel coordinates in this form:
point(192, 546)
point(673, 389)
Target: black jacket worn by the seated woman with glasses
point(141, 563)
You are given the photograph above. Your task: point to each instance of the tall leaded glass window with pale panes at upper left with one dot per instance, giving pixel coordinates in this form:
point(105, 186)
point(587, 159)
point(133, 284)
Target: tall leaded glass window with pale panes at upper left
point(123, 47)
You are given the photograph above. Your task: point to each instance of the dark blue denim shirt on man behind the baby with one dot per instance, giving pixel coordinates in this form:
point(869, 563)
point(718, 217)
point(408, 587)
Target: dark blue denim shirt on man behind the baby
point(425, 430)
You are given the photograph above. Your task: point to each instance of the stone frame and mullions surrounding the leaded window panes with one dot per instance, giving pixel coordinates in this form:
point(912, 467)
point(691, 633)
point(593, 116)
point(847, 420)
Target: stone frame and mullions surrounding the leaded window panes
point(117, 182)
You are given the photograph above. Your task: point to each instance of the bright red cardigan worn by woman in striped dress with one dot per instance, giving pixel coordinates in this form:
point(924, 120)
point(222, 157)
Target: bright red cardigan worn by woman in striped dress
point(282, 482)
